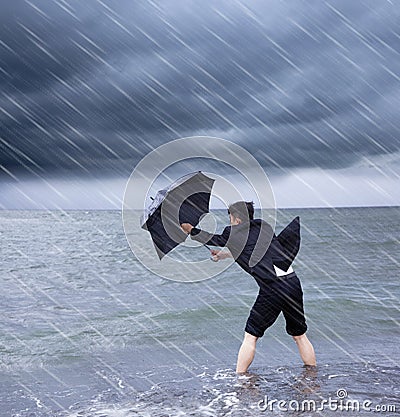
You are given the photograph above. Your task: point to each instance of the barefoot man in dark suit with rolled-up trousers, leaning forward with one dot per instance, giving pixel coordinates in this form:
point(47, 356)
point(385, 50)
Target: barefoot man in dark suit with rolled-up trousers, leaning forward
point(254, 246)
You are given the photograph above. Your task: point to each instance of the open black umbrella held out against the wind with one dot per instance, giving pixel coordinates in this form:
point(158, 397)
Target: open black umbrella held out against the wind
point(183, 201)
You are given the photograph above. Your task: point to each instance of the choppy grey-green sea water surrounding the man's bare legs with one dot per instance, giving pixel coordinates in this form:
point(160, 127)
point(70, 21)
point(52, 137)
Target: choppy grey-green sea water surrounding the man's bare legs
point(87, 330)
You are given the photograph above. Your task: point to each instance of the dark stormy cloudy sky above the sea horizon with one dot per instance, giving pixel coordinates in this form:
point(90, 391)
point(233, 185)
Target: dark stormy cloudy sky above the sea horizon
point(308, 87)
